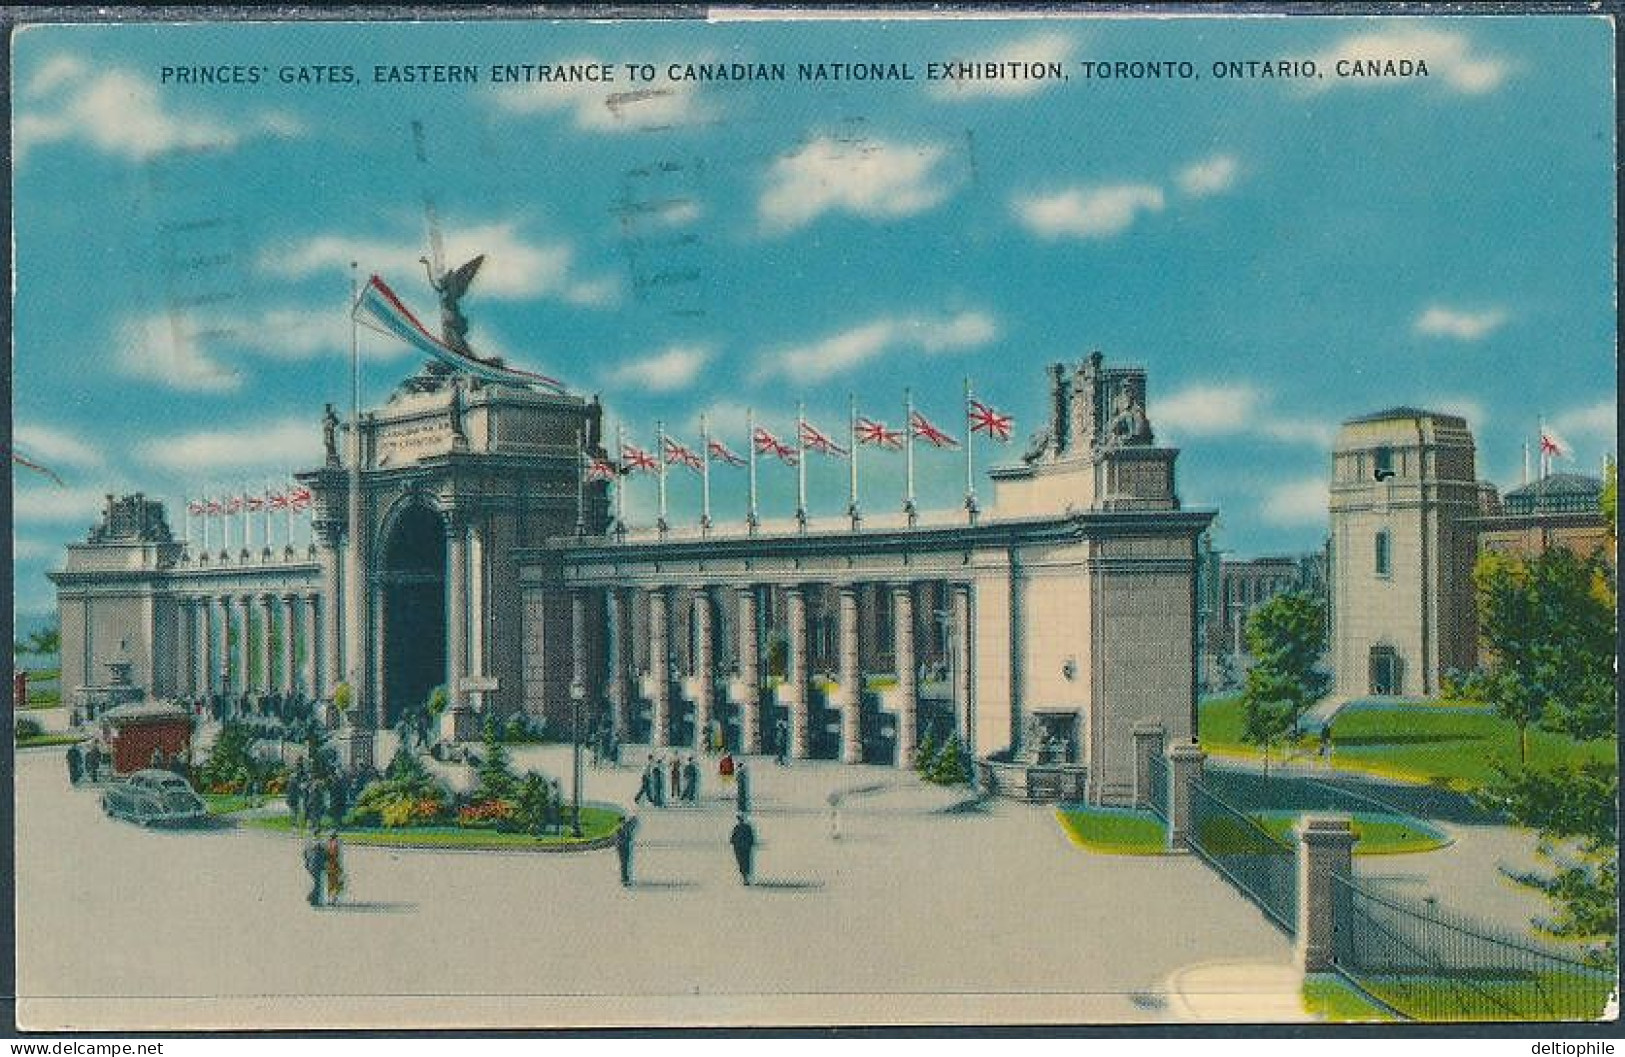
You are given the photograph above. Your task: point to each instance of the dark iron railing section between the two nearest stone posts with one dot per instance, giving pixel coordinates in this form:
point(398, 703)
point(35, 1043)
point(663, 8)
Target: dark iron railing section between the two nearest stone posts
point(1244, 853)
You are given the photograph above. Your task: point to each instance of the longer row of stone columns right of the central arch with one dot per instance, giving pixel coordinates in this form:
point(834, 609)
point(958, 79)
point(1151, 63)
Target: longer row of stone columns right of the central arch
point(696, 661)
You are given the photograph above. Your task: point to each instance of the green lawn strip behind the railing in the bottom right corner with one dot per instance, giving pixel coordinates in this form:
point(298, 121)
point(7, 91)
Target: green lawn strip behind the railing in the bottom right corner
point(1541, 996)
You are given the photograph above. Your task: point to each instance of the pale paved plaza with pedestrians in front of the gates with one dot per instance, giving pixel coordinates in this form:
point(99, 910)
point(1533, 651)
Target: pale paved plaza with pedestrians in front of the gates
point(924, 910)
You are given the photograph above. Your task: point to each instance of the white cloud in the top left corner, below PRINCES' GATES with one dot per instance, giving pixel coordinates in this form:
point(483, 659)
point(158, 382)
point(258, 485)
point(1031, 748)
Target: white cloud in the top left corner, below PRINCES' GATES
point(121, 113)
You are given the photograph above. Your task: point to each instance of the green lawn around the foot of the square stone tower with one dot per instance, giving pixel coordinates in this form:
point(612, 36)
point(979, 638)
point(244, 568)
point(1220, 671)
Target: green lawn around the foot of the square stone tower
point(1441, 742)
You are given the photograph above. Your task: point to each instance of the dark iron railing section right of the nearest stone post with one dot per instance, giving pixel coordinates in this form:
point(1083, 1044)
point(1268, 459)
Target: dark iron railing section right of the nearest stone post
point(1432, 965)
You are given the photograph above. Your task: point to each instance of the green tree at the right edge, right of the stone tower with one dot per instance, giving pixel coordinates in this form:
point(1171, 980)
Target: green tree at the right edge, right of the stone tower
point(1548, 627)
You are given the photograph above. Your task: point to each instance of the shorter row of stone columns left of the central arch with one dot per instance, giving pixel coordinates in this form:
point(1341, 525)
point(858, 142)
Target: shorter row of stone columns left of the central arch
point(254, 642)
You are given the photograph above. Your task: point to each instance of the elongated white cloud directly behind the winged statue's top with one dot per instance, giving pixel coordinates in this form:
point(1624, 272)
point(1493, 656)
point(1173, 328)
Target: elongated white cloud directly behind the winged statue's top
point(516, 269)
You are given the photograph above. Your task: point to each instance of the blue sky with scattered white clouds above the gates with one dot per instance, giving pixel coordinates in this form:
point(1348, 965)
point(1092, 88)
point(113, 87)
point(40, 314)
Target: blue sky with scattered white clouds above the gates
point(1280, 254)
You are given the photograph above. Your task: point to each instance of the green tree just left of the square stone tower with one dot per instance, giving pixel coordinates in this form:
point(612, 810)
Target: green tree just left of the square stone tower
point(1288, 638)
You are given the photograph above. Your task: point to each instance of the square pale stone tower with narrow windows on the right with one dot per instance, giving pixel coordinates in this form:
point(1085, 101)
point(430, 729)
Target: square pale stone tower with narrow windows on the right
point(1402, 552)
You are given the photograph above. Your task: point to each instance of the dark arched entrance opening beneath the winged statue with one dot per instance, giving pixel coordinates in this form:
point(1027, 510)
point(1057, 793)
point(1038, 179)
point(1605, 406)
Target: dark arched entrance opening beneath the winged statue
point(414, 612)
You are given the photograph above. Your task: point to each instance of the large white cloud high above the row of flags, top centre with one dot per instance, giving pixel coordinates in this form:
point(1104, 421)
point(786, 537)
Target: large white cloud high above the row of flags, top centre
point(867, 178)
